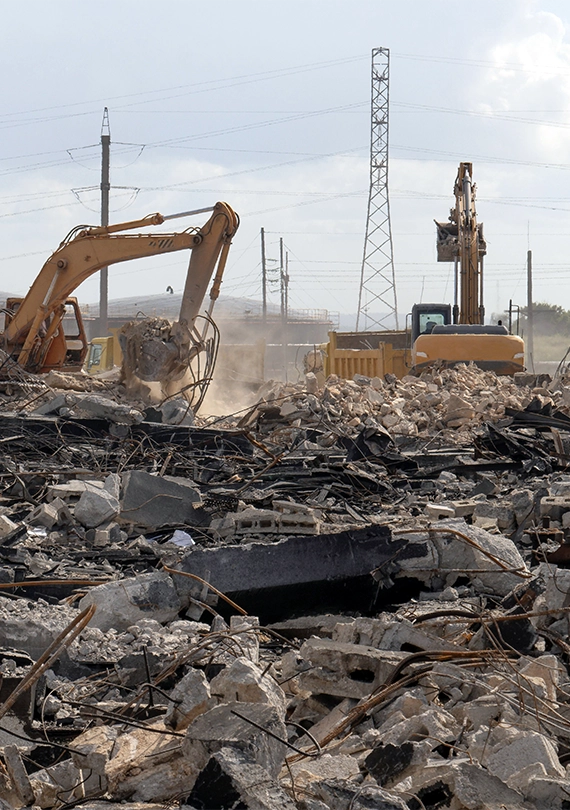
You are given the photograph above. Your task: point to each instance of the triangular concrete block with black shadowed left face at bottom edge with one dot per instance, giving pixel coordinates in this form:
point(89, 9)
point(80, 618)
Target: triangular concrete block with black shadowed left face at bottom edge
point(229, 780)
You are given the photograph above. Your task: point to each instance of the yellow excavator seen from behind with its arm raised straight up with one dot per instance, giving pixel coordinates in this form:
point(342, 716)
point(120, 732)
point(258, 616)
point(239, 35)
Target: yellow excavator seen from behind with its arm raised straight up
point(444, 336)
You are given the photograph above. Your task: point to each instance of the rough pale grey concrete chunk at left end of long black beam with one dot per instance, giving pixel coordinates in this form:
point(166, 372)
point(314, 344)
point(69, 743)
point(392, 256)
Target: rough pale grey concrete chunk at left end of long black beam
point(123, 603)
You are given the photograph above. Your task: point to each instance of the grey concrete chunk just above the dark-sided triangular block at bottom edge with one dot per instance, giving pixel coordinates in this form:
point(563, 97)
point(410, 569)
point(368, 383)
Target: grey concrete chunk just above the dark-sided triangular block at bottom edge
point(224, 726)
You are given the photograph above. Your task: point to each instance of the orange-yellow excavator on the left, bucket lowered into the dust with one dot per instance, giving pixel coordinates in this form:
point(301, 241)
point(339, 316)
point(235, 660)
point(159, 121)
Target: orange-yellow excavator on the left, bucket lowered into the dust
point(176, 356)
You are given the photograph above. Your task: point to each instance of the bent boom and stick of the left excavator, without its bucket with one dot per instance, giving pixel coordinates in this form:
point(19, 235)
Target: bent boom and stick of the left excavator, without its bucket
point(32, 328)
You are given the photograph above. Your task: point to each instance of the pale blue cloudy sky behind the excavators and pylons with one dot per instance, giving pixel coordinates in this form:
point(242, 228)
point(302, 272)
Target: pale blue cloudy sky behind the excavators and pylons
point(267, 106)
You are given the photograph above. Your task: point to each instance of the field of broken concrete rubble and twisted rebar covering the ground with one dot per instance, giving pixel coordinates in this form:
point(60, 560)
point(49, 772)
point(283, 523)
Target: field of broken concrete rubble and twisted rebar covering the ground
point(352, 594)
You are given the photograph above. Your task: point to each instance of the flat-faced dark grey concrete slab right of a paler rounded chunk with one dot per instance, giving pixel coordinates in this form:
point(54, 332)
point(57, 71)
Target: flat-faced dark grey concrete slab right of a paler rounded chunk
point(153, 502)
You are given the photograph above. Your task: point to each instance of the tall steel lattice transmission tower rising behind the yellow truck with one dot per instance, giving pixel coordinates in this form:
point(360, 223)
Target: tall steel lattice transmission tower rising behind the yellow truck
point(377, 307)
